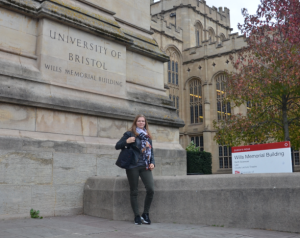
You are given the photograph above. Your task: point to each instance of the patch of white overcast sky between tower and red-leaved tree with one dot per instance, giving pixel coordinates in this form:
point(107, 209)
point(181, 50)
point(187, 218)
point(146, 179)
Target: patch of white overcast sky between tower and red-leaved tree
point(235, 7)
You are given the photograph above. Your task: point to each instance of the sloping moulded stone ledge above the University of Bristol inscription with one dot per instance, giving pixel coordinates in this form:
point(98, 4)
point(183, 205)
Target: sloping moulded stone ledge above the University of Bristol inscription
point(87, 21)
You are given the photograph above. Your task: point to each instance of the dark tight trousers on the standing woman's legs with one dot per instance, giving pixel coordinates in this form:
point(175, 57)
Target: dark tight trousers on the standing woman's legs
point(133, 179)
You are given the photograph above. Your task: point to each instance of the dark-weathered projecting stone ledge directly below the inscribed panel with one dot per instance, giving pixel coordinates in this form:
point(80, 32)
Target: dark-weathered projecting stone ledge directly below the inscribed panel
point(39, 94)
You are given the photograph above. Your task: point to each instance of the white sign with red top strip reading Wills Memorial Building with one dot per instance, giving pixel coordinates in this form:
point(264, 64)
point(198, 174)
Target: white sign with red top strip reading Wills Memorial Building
point(263, 158)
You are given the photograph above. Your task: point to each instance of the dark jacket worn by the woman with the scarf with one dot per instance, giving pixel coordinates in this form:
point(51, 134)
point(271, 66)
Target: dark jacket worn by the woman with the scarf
point(135, 147)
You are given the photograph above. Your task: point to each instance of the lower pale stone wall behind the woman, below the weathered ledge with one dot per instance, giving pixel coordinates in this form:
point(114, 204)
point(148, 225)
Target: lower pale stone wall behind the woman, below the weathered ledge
point(46, 157)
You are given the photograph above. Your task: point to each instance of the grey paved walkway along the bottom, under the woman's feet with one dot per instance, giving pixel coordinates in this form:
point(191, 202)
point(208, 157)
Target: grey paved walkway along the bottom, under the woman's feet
point(91, 227)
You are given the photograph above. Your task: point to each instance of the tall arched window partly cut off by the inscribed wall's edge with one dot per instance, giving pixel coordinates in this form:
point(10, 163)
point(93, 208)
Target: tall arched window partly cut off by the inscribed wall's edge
point(173, 77)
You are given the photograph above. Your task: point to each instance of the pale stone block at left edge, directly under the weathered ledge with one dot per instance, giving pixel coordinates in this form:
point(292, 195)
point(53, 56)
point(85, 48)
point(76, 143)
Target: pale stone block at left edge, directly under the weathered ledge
point(17, 117)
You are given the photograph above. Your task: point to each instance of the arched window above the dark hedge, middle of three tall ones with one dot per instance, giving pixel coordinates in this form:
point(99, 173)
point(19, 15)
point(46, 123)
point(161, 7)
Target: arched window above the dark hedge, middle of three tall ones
point(196, 108)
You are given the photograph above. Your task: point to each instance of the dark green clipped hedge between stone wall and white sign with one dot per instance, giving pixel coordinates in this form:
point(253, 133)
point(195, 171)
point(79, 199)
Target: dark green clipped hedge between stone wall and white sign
point(199, 162)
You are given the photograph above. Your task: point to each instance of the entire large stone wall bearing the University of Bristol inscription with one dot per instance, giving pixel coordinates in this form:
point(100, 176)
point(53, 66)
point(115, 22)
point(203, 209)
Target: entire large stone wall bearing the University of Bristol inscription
point(73, 76)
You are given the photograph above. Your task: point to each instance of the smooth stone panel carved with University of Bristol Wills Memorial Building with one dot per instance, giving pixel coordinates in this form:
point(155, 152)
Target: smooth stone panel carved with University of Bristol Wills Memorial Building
point(84, 61)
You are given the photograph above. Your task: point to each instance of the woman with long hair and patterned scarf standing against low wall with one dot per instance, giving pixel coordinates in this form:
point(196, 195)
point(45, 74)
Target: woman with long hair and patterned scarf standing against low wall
point(139, 140)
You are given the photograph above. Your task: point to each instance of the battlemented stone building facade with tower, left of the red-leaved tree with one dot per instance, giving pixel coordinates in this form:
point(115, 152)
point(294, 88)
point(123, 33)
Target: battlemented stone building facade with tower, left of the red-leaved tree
point(198, 39)
